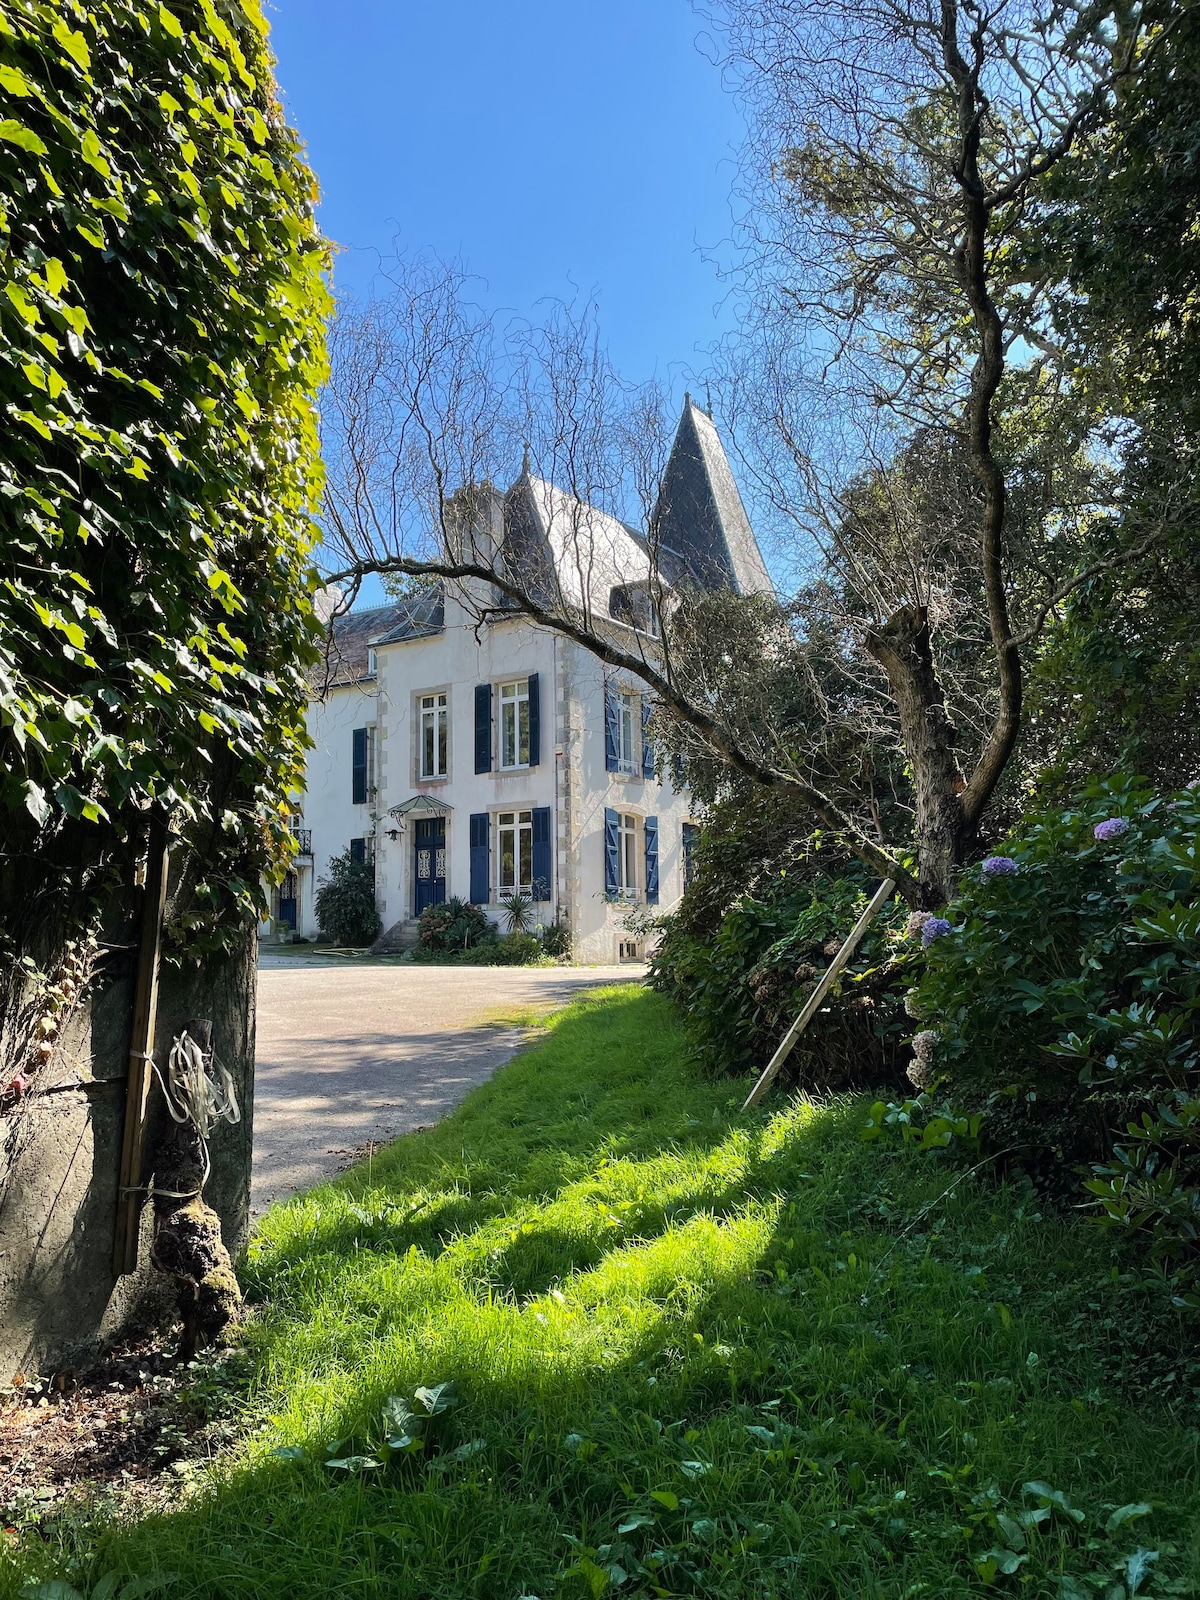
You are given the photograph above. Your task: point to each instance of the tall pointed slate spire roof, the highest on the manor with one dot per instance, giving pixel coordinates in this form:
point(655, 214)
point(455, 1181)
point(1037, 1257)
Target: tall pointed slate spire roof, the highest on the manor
point(700, 522)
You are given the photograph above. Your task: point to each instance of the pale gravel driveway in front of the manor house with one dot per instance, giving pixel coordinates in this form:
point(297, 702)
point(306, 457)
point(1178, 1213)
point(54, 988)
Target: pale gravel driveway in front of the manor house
point(356, 1054)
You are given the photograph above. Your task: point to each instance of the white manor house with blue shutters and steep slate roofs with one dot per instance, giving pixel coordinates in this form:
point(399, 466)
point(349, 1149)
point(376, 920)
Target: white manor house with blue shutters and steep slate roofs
point(479, 759)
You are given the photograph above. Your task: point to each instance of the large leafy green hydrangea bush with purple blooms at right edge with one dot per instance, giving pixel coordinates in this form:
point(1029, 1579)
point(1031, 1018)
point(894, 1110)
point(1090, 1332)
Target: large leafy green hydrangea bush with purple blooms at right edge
point(1065, 999)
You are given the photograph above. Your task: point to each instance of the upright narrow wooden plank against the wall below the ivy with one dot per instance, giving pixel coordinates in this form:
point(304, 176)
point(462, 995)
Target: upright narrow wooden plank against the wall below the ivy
point(142, 1047)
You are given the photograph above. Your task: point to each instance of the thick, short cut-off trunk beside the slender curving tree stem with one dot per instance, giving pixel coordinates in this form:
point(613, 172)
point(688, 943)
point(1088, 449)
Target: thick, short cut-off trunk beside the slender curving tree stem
point(945, 836)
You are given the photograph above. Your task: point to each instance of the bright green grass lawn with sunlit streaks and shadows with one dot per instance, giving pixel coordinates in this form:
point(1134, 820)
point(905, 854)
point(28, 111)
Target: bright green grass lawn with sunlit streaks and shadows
point(694, 1354)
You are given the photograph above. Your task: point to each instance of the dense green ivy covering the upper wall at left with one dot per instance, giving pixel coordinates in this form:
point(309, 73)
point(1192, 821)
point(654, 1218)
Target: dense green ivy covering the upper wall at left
point(161, 345)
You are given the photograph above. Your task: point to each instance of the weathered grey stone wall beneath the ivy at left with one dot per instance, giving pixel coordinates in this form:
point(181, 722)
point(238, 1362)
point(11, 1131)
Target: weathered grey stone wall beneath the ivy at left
point(60, 1159)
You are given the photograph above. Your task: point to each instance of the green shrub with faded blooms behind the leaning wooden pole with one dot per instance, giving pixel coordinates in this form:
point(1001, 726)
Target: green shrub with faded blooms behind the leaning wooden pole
point(740, 990)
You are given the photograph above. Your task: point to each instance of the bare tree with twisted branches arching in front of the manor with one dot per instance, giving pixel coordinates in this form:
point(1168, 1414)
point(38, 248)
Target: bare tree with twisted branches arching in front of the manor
point(890, 324)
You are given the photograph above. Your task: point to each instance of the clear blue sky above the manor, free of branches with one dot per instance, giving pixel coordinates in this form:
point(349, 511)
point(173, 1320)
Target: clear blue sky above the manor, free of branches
point(554, 148)
